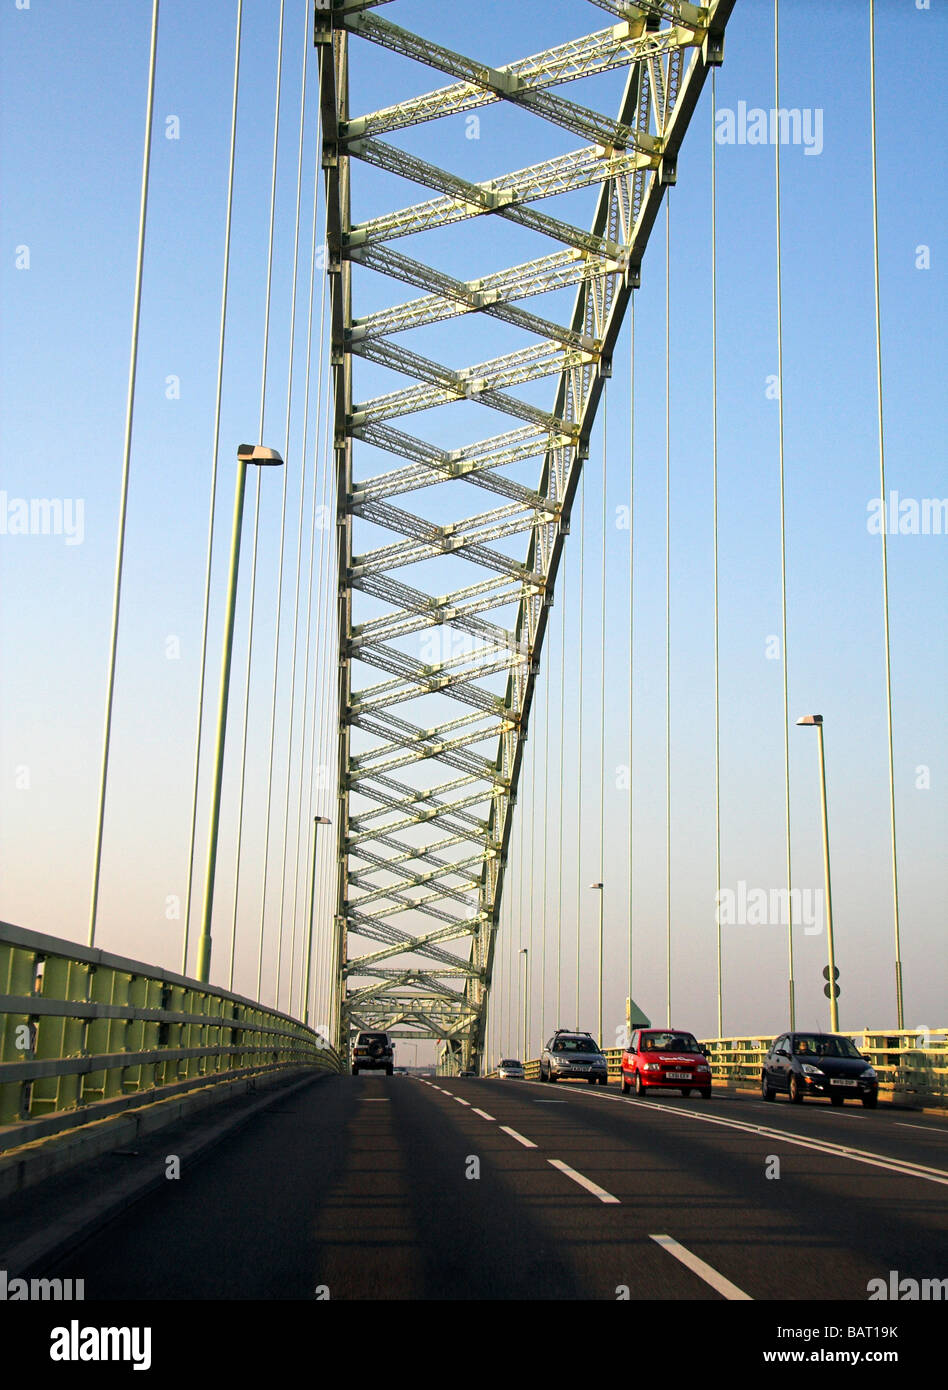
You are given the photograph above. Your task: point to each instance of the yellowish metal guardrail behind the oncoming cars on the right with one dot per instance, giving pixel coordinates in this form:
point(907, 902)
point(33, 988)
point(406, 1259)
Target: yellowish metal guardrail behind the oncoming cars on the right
point(913, 1065)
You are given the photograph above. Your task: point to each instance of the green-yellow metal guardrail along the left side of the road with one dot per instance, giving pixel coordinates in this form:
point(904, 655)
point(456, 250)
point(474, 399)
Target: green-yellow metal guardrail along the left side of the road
point(80, 1027)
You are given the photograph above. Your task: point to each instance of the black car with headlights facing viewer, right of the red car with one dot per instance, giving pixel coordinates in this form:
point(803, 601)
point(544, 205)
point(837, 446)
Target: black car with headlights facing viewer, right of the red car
point(818, 1064)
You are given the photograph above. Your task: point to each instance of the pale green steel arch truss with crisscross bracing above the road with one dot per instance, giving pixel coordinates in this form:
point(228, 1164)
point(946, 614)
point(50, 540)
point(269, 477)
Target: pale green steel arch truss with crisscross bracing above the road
point(432, 736)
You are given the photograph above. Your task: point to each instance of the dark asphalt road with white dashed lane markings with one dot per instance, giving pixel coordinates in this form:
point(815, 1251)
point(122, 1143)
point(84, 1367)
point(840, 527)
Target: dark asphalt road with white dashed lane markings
point(383, 1188)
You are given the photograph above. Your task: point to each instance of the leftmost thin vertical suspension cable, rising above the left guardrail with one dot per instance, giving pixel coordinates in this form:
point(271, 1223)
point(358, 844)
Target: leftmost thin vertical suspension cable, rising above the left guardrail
point(127, 459)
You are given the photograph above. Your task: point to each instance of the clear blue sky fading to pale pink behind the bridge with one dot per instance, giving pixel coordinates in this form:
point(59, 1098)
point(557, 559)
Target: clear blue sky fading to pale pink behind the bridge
point(73, 108)
